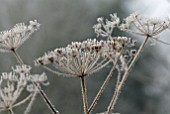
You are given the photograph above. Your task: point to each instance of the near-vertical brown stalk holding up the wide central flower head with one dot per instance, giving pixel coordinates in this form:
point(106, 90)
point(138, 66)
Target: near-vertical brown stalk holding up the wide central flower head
point(83, 87)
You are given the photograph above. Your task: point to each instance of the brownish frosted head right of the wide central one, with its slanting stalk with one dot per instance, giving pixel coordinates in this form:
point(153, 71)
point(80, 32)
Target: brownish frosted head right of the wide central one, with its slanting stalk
point(119, 50)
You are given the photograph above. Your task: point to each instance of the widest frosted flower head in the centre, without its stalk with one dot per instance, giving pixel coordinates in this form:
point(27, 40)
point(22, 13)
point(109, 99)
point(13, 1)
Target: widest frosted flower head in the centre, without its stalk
point(77, 59)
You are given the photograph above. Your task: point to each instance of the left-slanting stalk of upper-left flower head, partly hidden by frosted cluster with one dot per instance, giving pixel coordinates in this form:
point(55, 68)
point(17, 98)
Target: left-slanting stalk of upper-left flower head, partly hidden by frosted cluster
point(44, 96)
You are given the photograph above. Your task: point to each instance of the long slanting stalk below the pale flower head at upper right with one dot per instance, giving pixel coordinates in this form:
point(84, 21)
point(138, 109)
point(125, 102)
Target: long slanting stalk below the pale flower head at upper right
point(116, 94)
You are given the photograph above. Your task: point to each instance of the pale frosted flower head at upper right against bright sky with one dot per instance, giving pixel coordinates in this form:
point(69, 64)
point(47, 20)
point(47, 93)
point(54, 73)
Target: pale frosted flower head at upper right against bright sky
point(137, 24)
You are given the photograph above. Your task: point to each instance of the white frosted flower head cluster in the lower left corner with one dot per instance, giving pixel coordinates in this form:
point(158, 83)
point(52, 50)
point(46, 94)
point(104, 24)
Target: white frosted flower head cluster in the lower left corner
point(12, 85)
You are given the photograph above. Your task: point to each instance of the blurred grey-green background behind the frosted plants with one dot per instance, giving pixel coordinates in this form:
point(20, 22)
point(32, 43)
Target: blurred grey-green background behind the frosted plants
point(147, 89)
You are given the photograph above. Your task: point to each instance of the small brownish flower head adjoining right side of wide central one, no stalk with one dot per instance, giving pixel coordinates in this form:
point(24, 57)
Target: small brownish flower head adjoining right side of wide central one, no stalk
point(119, 48)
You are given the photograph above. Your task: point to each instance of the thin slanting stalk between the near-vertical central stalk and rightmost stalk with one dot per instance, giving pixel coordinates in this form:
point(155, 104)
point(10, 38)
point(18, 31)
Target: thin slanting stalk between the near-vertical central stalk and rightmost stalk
point(104, 84)
